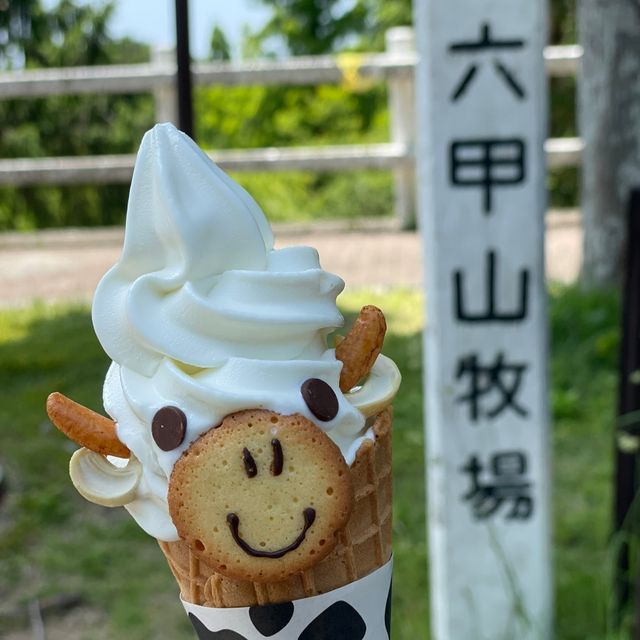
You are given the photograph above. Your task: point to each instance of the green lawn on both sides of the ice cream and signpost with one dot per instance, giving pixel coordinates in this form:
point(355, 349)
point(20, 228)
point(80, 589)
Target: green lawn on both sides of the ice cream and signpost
point(54, 542)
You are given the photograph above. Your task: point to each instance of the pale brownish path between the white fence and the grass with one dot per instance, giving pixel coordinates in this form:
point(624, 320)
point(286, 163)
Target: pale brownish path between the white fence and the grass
point(67, 264)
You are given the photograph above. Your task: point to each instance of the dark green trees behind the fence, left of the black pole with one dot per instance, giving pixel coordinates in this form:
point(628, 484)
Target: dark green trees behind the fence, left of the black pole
point(68, 34)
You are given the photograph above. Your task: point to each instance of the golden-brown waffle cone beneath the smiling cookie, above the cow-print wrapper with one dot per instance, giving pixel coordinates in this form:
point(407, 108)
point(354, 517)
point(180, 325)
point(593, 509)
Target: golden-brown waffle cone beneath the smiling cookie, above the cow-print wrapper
point(363, 546)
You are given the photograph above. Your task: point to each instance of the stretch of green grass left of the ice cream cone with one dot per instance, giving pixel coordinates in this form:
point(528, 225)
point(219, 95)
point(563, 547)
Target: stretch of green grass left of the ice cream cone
point(53, 542)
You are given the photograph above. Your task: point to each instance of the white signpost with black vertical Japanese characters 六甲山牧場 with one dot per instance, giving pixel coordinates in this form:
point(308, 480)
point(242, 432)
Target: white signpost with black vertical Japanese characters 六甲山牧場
point(481, 128)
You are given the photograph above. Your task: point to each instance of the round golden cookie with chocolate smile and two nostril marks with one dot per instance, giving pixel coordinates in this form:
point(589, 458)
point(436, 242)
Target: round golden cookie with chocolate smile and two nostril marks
point(262, 496)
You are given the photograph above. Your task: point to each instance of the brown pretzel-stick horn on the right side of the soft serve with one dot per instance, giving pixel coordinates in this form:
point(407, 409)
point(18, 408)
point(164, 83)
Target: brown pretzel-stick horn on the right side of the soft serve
point(361, 346)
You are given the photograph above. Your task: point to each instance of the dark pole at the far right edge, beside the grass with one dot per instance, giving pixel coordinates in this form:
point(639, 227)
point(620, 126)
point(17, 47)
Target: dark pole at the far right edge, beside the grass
point(628, 402)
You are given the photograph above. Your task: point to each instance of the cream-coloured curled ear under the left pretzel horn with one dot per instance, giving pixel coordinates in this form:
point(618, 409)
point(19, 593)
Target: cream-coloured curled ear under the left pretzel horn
point(102, 482)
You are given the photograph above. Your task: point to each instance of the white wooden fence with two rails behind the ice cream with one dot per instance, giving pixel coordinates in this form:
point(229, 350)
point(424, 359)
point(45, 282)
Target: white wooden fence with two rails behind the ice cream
point(395, 66)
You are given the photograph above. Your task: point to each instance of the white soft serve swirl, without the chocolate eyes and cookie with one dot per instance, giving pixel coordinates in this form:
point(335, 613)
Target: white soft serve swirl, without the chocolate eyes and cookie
point(202, 313)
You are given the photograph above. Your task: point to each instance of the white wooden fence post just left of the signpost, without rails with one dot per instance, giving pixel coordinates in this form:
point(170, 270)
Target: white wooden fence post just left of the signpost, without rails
point(402, 116)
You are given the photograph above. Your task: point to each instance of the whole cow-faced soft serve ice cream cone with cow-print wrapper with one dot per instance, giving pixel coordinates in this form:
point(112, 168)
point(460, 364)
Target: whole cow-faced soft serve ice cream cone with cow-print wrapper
point(218, 344)
